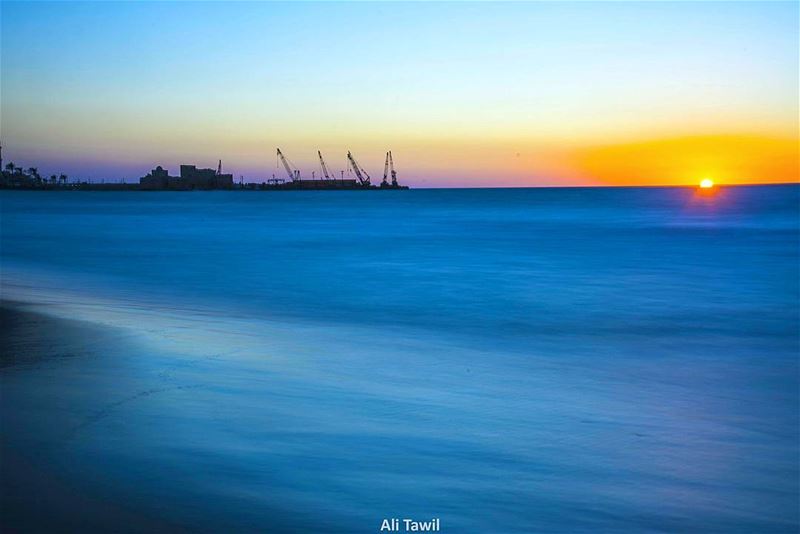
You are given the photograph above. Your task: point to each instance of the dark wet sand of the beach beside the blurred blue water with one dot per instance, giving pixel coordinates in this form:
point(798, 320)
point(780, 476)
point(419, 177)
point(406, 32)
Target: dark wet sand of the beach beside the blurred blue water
point(66, 386)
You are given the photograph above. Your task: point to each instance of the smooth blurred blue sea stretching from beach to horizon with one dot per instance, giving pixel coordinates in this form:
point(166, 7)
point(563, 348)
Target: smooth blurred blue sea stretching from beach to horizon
point(508, 360)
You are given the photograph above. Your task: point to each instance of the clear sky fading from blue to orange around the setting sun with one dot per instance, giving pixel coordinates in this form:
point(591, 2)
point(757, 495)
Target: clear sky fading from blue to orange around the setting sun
point(464, 94)
